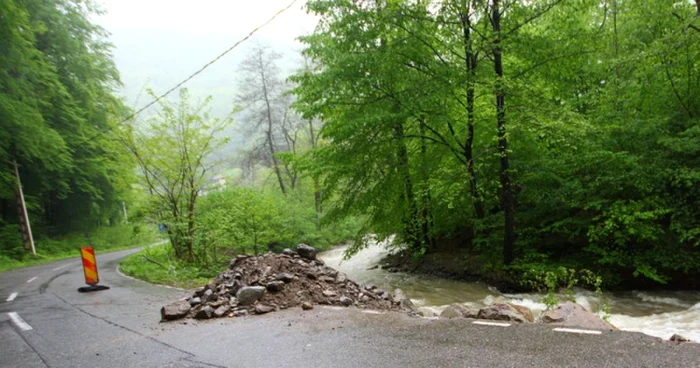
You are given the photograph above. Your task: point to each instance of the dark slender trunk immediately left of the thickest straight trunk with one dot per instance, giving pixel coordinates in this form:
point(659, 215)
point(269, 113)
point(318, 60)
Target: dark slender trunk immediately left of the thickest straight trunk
point(470, 62)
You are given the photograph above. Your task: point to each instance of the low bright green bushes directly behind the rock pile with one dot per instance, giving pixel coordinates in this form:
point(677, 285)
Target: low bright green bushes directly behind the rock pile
point(249, 221)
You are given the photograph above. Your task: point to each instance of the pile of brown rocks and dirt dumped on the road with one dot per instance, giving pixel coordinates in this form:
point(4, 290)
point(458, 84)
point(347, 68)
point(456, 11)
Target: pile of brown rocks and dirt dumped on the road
point(270, 282)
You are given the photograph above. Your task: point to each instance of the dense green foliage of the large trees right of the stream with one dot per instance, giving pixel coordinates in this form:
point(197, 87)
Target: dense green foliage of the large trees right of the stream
point(602, 104)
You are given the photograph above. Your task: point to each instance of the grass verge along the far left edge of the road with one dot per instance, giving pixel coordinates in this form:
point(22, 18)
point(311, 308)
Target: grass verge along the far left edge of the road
point(104, 239)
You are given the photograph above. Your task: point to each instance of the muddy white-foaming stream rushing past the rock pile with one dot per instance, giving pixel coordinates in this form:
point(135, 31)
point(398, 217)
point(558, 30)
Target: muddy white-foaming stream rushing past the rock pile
point(656, 313)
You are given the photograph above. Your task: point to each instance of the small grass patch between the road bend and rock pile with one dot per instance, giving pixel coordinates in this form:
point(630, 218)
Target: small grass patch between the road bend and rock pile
point(157, 264)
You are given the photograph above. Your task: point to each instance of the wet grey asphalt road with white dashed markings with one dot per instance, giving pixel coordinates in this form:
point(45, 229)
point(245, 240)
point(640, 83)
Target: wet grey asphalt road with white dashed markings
point(120, 328)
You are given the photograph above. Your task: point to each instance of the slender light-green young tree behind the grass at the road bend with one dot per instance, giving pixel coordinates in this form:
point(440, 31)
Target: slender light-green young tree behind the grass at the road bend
point(173, 152)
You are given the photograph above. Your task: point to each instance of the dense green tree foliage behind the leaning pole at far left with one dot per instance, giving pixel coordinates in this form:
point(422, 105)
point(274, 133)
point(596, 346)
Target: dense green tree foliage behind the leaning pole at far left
point(56, 99)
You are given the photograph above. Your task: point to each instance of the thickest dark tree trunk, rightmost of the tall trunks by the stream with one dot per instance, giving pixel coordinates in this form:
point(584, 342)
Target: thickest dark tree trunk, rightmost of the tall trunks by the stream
point(507, 198)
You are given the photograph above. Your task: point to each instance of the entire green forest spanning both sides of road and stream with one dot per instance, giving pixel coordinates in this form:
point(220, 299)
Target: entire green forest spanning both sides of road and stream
point(520, 137)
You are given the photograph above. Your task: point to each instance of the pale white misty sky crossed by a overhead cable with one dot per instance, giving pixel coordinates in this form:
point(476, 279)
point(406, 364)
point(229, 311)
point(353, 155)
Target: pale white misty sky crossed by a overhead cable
point(160, 42)
